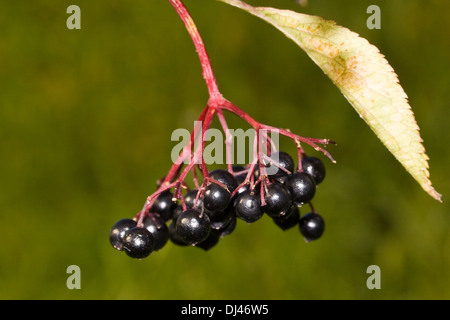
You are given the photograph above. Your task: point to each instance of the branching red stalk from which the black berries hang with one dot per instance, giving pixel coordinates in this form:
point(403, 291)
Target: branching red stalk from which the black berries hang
point(216, 106)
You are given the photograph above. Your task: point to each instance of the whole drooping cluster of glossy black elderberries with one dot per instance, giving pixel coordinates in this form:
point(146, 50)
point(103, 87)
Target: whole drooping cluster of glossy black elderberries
point(200, 217)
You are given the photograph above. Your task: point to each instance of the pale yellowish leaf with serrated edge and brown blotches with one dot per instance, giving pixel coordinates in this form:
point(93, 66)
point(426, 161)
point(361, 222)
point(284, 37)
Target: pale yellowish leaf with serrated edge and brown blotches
point(364, 77)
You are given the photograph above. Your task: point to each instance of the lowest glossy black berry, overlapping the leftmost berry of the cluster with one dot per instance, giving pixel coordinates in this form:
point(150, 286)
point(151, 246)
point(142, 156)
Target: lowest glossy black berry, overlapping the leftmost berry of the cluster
point(138, 243)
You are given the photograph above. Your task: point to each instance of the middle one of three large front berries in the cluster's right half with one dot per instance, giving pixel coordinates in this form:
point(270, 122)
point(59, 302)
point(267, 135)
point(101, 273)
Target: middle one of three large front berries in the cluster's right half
point(278, 199)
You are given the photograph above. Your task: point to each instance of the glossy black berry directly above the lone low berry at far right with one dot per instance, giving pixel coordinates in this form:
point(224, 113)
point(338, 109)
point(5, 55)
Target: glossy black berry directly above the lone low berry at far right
point(302, 187)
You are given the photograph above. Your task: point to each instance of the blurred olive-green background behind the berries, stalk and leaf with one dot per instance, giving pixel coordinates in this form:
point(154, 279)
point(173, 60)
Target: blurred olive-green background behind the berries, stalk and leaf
point(86, 118)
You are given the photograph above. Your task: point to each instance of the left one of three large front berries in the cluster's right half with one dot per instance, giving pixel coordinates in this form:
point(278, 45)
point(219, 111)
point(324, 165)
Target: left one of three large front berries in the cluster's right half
point(247, 206)
